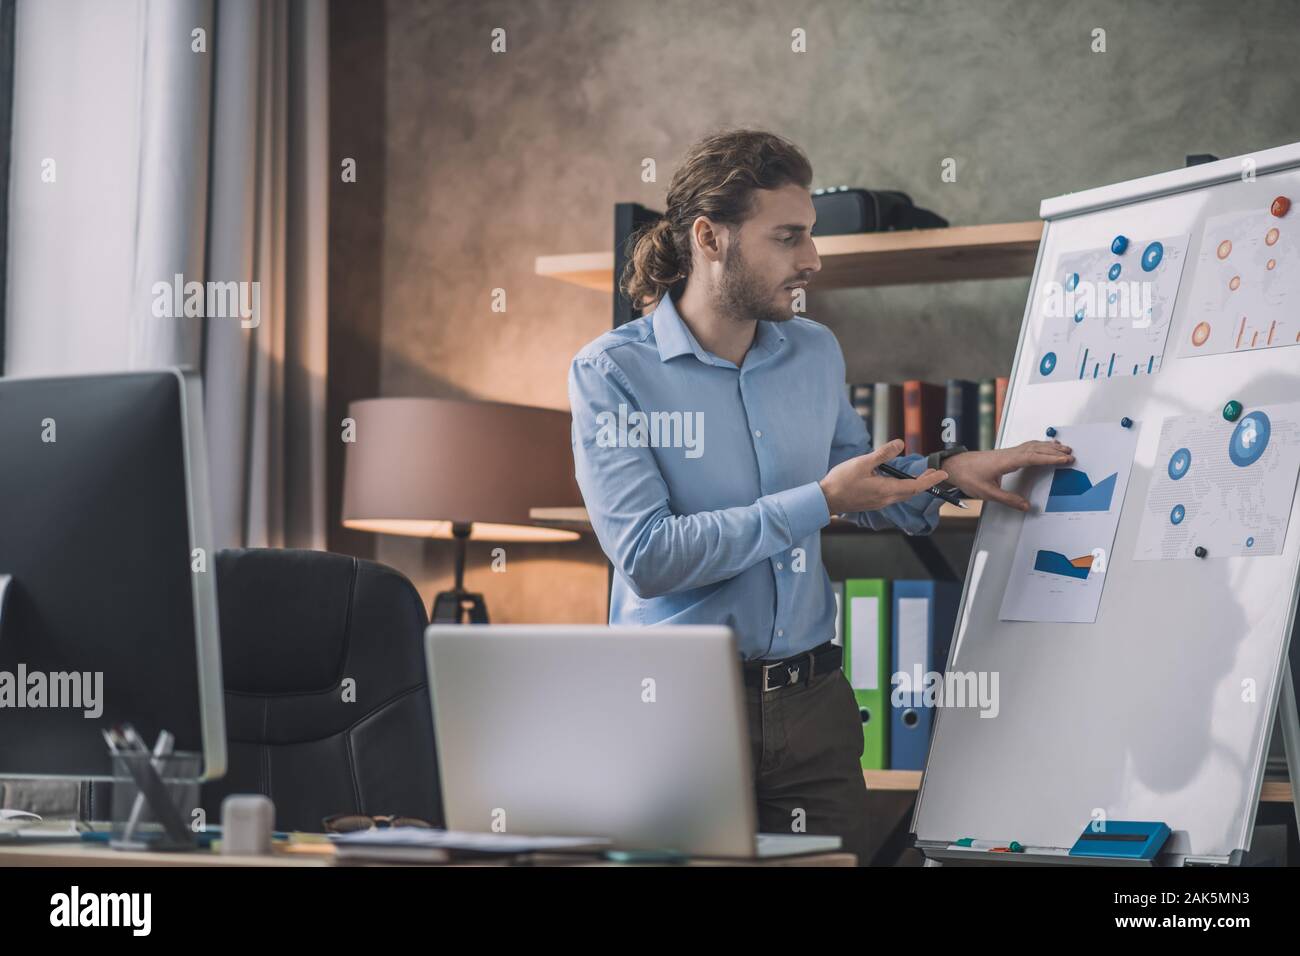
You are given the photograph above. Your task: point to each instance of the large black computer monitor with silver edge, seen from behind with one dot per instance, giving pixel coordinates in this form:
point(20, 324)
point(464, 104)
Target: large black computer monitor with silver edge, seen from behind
point(111, 607)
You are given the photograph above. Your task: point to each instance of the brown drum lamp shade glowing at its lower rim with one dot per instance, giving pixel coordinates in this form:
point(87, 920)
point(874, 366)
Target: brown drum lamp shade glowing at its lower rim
point(418, 466)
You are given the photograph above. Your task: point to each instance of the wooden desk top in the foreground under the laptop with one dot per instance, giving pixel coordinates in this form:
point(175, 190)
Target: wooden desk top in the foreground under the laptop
point(99, 855)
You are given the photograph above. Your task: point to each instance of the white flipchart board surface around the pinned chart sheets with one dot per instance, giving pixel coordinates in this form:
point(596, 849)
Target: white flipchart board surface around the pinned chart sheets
point(1145, 715)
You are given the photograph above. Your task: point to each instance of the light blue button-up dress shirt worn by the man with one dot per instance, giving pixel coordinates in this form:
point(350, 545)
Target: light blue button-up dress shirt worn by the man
point(701, 478)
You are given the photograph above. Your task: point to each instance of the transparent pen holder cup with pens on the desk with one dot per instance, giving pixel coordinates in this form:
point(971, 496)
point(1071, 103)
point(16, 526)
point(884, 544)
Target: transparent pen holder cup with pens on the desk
point(138, 825)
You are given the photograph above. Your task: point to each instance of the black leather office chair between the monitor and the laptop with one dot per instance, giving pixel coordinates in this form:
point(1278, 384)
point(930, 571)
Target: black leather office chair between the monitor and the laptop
point(296, 626)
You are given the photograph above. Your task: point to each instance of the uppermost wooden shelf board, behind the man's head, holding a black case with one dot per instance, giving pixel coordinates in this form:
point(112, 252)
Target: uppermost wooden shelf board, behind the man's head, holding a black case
point(998, 250)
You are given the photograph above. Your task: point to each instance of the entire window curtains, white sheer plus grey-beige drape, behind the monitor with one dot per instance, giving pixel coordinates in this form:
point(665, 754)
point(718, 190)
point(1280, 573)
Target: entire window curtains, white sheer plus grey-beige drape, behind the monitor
point(189, 139)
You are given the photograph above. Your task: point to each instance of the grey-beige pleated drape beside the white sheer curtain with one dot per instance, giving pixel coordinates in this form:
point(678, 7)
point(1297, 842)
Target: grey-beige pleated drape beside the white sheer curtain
point(267, 223)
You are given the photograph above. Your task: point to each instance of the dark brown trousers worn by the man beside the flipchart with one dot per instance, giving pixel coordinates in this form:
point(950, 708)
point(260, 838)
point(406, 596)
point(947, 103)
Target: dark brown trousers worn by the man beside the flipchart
point(807, 749)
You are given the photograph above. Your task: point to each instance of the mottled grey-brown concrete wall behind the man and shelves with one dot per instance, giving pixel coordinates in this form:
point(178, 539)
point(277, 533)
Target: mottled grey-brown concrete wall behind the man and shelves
point(492, 159)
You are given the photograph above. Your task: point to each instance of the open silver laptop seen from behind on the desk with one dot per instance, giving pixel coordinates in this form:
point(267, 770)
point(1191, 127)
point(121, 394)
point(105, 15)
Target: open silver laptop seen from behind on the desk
point(635, 734)
